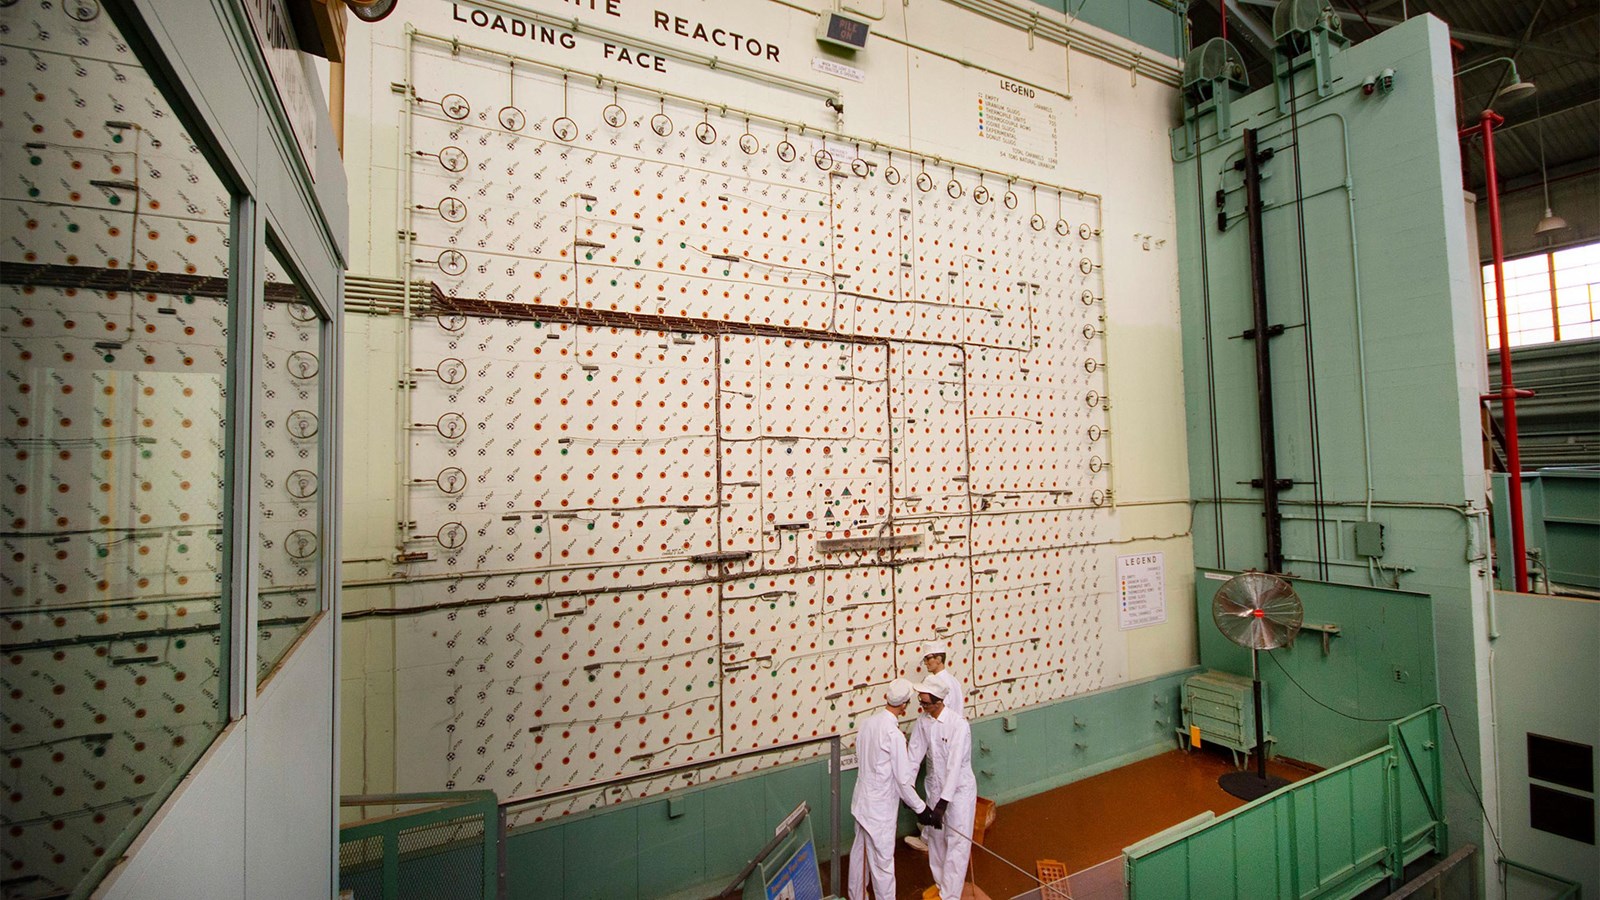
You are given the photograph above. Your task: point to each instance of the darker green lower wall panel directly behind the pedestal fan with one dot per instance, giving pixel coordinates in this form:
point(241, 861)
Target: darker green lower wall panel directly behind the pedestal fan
point(1382, 633)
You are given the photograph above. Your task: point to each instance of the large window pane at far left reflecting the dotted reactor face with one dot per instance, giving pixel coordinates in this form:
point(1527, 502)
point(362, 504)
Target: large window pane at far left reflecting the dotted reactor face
point(114, 308)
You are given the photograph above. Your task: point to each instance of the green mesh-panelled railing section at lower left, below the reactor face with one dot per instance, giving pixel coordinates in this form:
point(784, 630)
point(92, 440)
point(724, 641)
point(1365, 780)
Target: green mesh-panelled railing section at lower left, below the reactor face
point(436, 846)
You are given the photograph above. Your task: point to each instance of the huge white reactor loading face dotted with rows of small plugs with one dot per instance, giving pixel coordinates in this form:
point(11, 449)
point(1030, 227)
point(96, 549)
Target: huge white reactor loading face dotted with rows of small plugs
point(716, 420)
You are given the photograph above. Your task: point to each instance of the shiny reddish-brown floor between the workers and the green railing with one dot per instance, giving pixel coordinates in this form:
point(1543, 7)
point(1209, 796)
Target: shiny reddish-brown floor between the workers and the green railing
point(1092, 821)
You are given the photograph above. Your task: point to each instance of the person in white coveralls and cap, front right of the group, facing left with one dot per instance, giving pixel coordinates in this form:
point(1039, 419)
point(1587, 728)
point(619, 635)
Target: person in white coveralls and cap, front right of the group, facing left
point(946, 741)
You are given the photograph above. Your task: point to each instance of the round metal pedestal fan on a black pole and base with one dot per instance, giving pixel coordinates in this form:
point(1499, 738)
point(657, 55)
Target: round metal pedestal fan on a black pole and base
point(1258, 613)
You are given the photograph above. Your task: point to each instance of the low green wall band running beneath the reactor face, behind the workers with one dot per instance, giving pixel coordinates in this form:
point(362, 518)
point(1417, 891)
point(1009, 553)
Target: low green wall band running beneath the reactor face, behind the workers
point(692, 842)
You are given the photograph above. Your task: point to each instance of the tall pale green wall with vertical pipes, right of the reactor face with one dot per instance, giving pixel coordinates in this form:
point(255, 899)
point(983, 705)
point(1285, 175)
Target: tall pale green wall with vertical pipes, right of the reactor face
point(1391, 310)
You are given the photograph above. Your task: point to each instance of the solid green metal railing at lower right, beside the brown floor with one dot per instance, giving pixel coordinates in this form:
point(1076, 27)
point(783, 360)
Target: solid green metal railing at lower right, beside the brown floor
point(1329, 837)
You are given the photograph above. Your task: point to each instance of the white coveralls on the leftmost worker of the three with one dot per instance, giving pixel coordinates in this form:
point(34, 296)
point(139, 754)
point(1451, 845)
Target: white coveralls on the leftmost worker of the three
point(884, 781)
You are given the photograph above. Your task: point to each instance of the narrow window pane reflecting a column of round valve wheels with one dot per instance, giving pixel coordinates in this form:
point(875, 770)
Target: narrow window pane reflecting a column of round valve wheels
point(289, 464)
